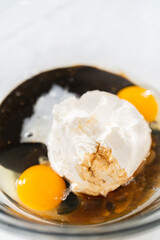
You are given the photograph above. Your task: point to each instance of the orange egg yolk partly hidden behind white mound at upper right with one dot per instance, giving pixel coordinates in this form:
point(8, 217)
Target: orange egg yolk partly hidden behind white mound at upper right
point(142, 99)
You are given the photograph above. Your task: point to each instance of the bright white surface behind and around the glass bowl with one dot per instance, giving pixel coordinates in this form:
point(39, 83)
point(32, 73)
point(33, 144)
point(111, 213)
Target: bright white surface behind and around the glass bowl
point(118, 35)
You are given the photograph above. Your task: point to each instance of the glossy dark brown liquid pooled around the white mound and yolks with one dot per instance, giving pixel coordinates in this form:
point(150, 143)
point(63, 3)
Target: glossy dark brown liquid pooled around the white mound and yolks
point(15, 157)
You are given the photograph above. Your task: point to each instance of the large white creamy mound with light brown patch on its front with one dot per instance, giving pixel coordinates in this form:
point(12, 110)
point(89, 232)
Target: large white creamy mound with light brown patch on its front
point(97, 142)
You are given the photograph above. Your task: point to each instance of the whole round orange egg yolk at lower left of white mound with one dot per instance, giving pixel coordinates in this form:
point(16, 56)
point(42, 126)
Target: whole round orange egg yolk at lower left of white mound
point(40, 188)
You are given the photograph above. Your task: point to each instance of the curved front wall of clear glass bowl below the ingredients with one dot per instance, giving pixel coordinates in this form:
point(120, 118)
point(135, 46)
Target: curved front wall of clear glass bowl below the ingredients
point(138, 223)
